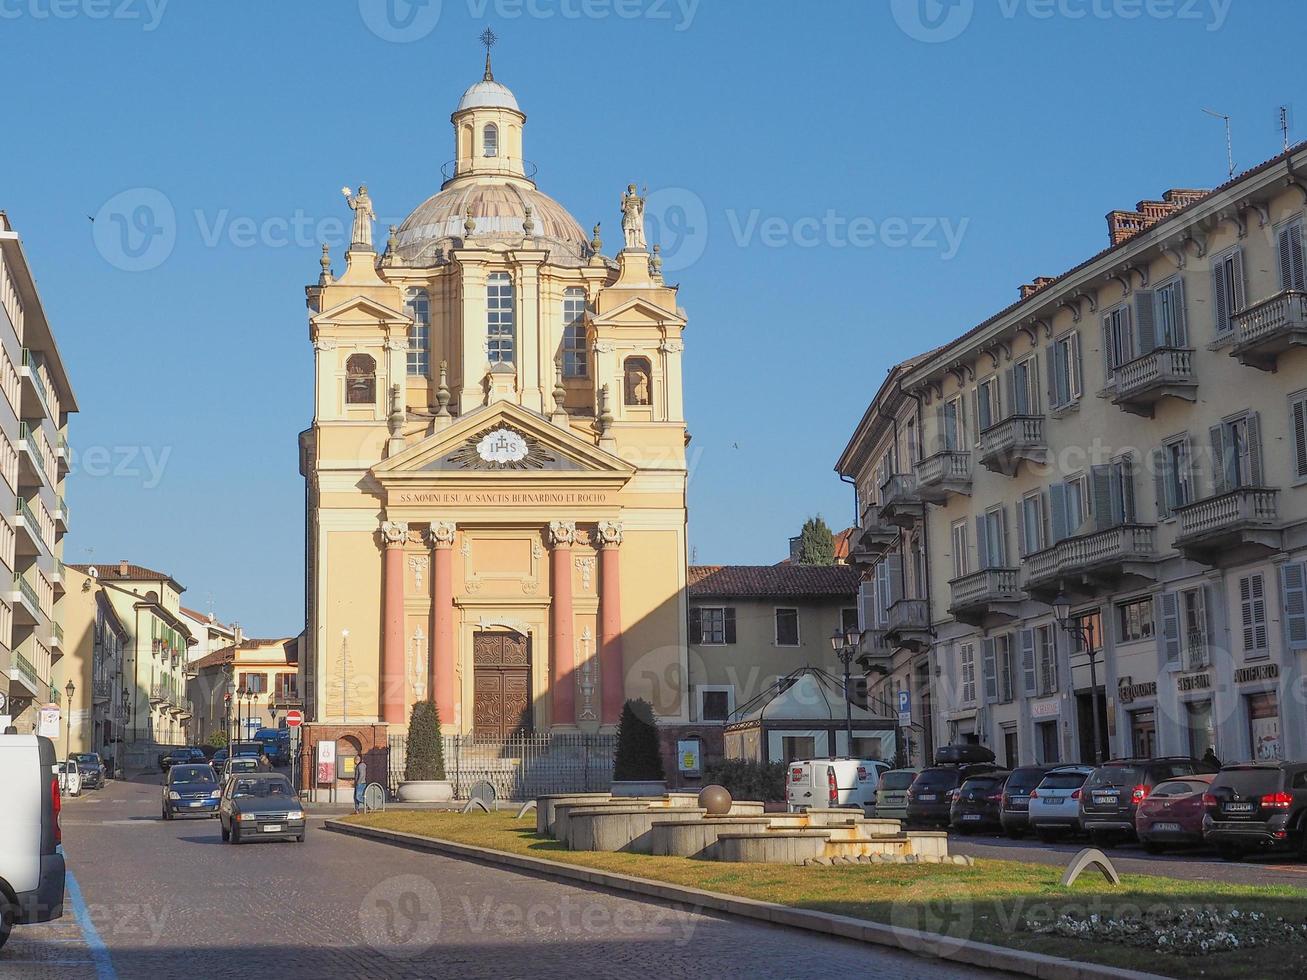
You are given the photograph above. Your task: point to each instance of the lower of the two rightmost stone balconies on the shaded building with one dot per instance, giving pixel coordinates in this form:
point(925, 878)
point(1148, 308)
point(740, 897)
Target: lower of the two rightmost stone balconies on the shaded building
point(1231, 529)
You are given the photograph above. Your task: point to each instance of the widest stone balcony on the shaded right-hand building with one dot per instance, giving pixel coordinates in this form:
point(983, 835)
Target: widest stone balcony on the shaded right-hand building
point(1093, 564)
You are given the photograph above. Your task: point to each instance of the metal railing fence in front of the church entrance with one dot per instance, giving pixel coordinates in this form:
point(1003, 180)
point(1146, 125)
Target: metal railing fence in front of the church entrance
point(522, 768)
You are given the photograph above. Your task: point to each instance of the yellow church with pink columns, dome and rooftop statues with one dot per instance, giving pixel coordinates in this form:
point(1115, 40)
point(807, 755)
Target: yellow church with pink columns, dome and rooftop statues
point(496, 471)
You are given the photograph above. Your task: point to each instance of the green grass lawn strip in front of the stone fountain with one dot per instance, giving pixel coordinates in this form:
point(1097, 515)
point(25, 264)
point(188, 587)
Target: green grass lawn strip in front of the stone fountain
point(990, 902)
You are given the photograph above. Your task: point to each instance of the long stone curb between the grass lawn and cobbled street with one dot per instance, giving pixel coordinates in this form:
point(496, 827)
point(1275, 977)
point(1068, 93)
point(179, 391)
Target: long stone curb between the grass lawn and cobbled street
point(929, 945)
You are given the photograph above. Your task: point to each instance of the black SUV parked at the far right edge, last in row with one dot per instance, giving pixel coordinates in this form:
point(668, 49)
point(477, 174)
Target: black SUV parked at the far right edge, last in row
point(1257, 807)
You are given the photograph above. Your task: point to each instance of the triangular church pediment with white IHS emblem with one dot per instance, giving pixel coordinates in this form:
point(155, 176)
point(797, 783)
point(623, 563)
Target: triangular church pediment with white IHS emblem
point(504, 440)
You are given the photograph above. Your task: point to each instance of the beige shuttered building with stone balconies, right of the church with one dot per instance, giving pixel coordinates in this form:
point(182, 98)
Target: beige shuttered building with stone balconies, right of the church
point(1131, 440)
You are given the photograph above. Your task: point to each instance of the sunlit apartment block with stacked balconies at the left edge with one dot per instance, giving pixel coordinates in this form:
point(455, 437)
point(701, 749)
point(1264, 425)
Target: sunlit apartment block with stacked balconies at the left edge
point(36, 402)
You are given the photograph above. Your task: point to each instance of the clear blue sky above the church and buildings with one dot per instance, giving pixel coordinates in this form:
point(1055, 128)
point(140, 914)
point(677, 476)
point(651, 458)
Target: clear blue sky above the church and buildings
point(838, 186)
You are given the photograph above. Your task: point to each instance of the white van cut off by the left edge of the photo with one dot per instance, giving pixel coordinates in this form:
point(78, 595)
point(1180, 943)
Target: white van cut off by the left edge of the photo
point(32, 868)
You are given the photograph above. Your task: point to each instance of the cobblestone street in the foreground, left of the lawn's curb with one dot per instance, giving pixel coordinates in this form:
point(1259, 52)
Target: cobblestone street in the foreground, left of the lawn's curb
point(172, 901)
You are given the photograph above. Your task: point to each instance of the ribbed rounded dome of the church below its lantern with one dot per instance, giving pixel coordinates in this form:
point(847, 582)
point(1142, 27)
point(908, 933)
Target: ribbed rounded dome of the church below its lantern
point(500, 212)
